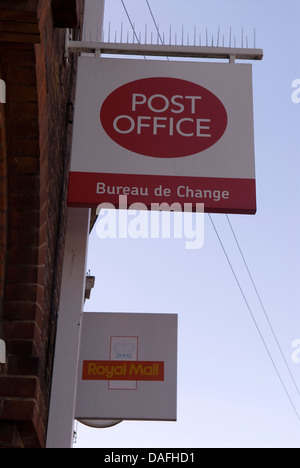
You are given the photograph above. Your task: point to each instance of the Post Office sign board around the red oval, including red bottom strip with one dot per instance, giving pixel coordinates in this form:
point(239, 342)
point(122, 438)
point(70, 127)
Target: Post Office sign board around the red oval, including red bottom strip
point(227, 167)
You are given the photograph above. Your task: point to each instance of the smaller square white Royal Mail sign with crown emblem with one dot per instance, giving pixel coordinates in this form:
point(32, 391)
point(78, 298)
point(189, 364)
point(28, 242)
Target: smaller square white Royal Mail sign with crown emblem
point(127, 367)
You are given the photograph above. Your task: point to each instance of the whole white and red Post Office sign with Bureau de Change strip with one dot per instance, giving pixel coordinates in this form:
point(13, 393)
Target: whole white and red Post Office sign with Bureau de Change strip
point(186, 128)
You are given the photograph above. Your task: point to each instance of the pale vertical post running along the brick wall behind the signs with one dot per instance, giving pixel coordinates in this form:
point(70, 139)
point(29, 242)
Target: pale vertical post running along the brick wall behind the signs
point(64, 382)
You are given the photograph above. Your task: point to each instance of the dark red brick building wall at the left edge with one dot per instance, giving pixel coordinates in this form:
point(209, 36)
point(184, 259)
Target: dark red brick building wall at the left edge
point(35, 134)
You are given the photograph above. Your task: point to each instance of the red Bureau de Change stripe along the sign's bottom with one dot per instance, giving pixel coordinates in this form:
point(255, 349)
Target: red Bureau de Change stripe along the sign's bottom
point(218, 195)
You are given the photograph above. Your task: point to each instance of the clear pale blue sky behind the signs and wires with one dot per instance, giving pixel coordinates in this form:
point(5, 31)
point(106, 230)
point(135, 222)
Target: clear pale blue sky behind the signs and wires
point(229, 393)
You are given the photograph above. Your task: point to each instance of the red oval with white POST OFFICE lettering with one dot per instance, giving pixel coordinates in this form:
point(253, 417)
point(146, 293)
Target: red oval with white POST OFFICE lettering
point(163, 117)
